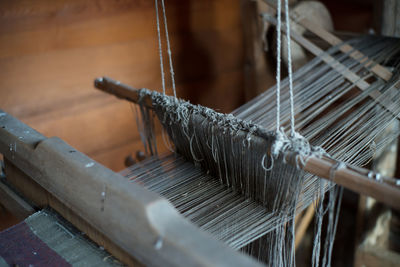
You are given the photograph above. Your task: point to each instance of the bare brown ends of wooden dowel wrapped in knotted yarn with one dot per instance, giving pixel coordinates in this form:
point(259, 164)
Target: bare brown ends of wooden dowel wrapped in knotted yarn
point(356, 179)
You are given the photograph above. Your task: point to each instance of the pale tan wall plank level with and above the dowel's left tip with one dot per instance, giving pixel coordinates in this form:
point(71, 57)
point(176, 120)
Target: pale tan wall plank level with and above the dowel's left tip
point(46, 74)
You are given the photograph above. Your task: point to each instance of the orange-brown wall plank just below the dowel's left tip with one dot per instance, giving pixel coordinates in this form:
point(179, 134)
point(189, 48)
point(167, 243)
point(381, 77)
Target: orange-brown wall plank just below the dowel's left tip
point(94, 138)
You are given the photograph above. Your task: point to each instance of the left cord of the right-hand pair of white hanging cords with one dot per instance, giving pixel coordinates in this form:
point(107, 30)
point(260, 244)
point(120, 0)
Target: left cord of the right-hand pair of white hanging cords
point(278, 67)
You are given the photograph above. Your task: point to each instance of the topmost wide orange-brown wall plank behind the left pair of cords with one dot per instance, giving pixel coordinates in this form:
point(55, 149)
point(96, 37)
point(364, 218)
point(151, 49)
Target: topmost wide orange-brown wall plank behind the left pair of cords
point(82, 24)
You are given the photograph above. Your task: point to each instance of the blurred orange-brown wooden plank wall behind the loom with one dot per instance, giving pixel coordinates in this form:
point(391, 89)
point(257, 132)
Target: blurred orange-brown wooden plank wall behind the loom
point(51, 51)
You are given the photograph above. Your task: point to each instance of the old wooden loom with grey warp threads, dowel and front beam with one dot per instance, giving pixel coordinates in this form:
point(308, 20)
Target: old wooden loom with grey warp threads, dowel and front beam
point(245, 200)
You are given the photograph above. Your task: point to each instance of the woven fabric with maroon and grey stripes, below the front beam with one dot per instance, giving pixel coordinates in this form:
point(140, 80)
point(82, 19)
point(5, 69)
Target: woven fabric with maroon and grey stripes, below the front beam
point(45, 239)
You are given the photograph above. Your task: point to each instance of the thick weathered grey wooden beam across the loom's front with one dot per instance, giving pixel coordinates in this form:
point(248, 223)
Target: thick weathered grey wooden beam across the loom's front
point(141, 223)
